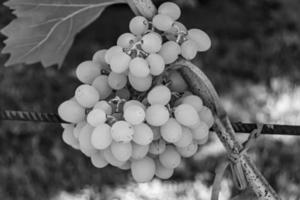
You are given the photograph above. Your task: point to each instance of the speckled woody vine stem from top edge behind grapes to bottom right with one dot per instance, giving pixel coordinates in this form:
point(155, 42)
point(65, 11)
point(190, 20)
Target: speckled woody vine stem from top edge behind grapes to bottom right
point(202, 87)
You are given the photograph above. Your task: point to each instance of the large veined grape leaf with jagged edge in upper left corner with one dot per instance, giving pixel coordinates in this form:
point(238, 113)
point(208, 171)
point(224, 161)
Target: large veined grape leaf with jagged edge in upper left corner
point(44, 30)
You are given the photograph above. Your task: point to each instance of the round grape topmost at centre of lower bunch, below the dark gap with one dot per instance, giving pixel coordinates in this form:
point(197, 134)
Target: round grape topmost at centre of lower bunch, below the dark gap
point(159, 95)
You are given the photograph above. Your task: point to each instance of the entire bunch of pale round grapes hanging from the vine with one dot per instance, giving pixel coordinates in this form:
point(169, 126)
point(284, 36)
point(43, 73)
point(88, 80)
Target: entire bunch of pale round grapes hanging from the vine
point(132, 110)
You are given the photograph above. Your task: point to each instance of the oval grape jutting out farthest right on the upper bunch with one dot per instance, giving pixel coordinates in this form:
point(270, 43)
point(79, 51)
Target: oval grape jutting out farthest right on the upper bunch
point(201, 38)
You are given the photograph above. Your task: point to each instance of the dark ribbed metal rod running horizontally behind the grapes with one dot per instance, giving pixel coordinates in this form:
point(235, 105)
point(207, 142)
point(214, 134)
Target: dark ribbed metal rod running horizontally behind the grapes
point(271, 129)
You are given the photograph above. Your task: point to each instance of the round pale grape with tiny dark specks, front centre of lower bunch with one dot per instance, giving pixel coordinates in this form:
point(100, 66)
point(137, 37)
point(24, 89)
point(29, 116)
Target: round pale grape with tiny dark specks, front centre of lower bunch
point(122, 131)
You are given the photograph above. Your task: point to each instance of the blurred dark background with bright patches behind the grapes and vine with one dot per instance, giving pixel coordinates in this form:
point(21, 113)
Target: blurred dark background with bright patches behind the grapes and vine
point(254, 64)
